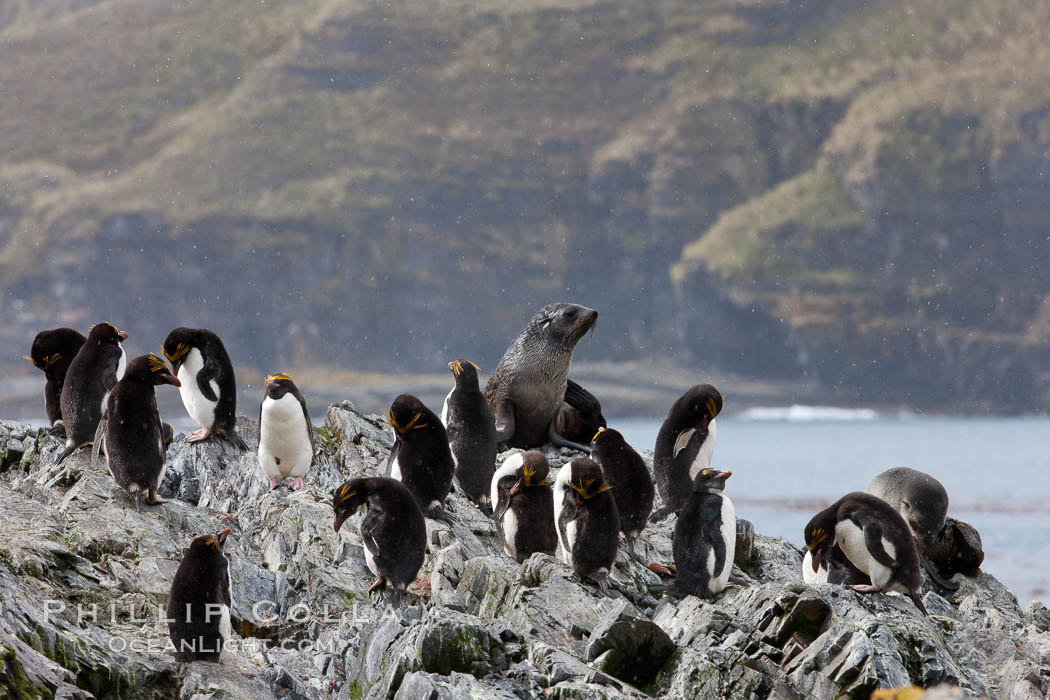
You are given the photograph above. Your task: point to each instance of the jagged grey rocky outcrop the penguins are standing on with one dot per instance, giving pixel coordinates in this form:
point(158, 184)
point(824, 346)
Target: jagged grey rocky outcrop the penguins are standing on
point(83, 577)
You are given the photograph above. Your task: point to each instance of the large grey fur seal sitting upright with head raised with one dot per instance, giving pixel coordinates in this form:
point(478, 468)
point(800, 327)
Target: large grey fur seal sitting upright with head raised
point(530, 388)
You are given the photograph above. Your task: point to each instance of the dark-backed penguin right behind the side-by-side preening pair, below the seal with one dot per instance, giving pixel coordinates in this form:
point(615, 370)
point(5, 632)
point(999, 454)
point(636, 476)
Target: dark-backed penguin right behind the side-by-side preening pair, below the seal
point(633, 487)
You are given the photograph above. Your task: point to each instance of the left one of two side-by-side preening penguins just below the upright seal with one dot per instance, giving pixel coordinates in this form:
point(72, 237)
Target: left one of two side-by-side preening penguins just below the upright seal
point(524, 506)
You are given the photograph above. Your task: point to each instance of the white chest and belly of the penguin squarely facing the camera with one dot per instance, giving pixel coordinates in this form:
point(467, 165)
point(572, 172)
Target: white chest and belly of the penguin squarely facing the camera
point(285, 449)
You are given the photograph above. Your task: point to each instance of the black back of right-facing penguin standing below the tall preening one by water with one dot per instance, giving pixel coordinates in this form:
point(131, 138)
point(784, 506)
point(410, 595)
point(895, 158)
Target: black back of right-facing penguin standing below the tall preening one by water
point(697, 534)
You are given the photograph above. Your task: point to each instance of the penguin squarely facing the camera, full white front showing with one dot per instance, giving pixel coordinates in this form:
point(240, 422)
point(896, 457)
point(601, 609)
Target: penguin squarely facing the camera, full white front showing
point(286, 435)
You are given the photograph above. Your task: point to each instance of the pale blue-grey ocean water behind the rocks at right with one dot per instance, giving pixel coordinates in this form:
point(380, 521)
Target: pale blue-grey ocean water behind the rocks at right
point(788, 464)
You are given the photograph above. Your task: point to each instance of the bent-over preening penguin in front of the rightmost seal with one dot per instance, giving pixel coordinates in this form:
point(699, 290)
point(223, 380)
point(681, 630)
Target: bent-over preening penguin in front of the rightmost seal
point(874, 538)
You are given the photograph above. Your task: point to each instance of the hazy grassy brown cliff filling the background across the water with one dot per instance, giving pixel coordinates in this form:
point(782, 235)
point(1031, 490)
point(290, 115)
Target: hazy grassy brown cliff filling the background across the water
point(849, 190)
